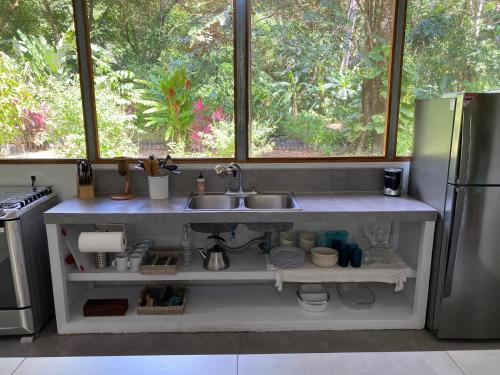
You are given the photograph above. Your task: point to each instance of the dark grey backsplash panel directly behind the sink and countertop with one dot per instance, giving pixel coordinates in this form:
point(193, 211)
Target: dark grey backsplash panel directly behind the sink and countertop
point(298, 180)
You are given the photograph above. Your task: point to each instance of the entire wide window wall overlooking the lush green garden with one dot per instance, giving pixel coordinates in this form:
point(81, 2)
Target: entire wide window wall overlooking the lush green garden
point(170, 76)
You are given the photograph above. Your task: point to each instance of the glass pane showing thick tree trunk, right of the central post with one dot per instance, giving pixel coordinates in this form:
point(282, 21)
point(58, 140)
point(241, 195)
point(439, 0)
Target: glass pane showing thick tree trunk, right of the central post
point(320, 77)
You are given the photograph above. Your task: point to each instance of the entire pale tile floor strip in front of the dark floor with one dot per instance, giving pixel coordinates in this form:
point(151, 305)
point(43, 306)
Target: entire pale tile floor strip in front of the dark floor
point(381, 363)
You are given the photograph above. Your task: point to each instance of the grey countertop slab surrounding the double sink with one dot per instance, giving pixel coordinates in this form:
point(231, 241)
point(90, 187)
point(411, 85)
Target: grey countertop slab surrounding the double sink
point(364, 206)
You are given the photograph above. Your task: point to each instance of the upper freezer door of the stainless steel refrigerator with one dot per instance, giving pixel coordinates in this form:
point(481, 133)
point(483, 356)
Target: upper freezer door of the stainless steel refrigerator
point(475, 151)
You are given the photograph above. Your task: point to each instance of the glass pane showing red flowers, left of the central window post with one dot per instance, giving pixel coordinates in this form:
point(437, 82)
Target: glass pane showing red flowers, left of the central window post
point(163, 73)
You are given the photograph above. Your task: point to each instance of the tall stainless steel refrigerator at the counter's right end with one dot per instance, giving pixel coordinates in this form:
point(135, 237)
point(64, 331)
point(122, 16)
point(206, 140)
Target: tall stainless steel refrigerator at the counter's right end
point(455, 168)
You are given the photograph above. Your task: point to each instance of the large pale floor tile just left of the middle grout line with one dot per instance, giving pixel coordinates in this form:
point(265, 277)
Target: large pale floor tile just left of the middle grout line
point(175, 365)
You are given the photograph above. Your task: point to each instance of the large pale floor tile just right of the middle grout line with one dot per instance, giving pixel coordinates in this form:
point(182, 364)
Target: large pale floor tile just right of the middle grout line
point(414, 363)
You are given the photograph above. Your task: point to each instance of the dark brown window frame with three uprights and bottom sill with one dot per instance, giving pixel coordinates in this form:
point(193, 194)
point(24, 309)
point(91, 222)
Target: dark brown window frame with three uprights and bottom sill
point(242, 92)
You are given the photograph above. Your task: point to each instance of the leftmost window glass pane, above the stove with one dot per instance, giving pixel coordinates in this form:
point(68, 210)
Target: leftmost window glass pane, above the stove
point(40, 100)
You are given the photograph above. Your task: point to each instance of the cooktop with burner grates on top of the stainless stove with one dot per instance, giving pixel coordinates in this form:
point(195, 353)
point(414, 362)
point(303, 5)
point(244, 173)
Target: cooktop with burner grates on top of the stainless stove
point(14, 201)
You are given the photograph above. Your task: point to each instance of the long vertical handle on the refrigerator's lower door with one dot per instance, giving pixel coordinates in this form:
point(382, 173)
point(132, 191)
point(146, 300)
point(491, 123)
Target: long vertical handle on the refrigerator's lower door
point(456, 238)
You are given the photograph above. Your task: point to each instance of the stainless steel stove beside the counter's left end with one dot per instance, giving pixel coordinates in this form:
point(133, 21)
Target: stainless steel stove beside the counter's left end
point(25, 285)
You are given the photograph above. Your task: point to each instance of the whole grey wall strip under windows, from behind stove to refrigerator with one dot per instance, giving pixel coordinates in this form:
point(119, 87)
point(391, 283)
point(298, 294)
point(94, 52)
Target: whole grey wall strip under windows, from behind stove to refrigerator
point(266, 176)
